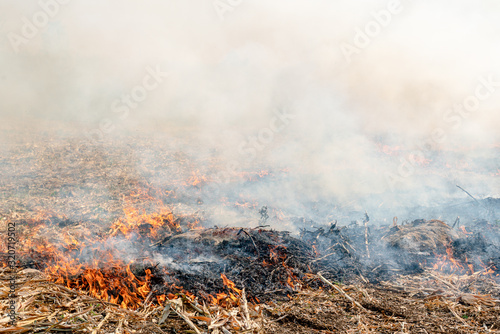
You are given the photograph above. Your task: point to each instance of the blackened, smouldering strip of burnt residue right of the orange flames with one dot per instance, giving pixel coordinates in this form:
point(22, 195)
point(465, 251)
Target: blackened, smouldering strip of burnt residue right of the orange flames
point(272, 264)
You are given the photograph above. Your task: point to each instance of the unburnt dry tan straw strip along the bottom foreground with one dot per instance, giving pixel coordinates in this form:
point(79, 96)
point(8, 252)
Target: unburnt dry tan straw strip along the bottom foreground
point(427, 303)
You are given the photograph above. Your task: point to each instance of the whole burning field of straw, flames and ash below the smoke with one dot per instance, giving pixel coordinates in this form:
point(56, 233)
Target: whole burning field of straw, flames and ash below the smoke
point(97, 271)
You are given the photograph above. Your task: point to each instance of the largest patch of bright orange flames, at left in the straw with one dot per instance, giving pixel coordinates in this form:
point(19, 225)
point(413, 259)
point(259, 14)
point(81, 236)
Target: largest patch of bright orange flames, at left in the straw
point(91, 261)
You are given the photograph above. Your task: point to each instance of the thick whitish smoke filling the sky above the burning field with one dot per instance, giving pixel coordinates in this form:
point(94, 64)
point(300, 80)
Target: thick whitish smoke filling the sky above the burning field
point(372, 125)
